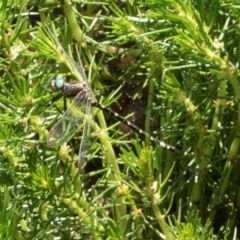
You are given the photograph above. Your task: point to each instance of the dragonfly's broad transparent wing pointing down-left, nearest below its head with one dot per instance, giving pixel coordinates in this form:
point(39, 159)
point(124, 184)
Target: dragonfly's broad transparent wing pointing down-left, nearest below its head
point(64, 129)
